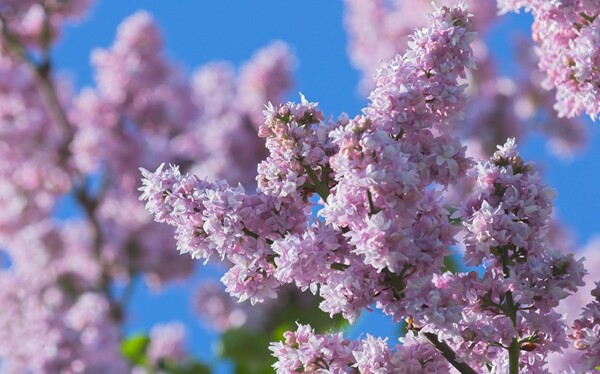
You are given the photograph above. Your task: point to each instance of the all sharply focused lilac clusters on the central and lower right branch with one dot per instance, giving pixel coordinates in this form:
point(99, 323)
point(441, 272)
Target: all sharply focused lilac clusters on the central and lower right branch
point(383, 230)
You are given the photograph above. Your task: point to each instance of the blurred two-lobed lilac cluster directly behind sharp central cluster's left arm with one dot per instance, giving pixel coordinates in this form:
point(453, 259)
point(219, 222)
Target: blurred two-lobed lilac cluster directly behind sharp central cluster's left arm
point(221, 141)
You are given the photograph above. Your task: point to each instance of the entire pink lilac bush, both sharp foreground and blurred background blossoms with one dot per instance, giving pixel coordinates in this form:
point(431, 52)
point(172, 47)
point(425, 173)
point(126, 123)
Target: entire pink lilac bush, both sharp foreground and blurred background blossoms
point(300, 209)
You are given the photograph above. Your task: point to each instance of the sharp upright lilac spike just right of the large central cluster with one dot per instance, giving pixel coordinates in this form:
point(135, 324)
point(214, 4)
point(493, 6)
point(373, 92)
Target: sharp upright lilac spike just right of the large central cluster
point(507, 222)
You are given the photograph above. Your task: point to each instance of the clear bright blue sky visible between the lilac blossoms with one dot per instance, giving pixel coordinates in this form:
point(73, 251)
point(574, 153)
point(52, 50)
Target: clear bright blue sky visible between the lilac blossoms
point(196, 32)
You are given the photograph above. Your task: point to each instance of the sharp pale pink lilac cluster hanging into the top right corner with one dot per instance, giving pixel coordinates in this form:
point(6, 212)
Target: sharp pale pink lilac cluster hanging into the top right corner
point(568, 33)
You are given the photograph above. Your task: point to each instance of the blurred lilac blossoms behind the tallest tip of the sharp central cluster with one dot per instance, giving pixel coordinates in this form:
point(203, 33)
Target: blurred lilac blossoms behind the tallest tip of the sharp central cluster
point(511, 105)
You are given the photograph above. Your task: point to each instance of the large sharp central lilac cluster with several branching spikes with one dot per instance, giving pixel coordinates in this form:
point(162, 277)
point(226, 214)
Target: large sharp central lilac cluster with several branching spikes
point(265, 236)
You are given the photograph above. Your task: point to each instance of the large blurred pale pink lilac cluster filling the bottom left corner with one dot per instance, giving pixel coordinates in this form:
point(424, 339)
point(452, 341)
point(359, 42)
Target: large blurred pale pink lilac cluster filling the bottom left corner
point(53, 319)
